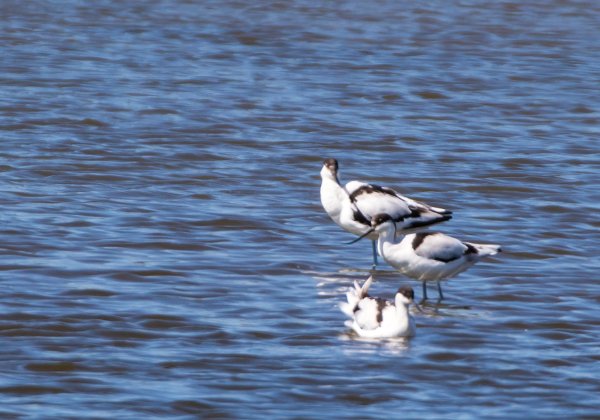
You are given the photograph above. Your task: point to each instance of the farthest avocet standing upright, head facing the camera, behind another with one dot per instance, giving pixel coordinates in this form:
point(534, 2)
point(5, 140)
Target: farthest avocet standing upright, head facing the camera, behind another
point(352, 207)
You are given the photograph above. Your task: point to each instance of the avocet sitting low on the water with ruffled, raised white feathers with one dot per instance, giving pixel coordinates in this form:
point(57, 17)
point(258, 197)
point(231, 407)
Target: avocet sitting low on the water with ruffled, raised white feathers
point(376, 317)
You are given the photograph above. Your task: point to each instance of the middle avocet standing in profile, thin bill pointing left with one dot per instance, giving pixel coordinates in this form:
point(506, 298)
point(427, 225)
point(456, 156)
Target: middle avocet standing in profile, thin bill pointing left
point(427, 256)
